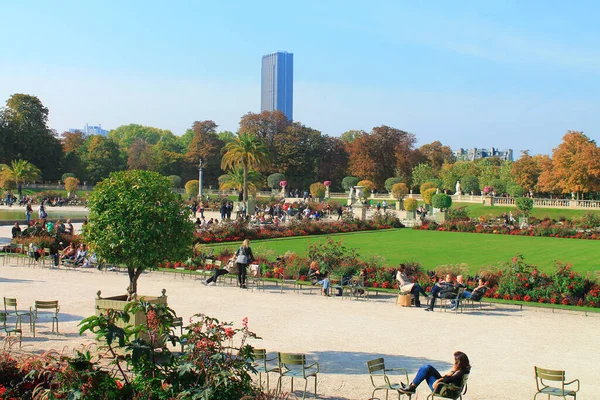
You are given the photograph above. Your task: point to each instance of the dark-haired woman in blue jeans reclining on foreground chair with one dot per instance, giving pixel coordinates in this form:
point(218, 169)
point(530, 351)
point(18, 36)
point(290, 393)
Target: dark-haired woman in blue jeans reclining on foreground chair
point(434, 378)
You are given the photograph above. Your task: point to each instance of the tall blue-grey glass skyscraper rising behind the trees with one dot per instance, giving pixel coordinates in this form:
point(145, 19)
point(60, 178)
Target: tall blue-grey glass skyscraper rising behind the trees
point(277, 83)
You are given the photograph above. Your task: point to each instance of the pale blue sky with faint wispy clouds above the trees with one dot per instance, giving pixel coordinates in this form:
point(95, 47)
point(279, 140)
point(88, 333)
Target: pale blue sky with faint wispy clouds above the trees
point(514, 74)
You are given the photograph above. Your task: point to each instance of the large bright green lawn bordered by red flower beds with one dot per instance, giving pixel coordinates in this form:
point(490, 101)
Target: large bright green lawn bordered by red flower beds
point(432, 248)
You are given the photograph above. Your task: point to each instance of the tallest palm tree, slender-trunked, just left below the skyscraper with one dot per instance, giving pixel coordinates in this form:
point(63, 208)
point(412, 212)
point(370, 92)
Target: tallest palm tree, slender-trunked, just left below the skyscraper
point(246, 151)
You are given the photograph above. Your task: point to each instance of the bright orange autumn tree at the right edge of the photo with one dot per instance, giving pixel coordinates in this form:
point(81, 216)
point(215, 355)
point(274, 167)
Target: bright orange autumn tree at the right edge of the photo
point(576, 164)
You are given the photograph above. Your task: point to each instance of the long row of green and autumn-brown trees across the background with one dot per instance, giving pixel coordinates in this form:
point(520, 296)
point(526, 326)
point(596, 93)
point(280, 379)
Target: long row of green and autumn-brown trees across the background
point(300, 155)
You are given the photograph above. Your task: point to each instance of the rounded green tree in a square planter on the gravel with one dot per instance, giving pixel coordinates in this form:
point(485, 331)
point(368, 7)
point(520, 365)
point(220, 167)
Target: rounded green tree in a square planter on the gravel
point(135, 219)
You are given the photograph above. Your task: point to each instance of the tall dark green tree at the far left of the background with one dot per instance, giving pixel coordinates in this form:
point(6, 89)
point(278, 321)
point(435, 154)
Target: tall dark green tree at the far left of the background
point(26, 135)
